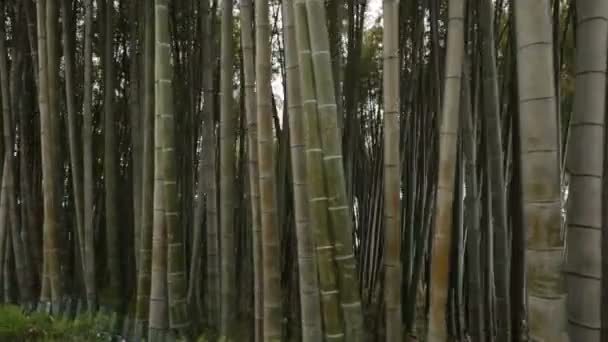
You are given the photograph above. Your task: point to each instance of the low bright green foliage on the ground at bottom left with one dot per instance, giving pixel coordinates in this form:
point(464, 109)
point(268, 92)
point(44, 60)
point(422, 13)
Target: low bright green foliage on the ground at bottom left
point(16, 326)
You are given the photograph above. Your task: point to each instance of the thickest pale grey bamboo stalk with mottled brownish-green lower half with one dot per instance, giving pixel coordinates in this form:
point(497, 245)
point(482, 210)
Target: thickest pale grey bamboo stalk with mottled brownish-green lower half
point(540, 171)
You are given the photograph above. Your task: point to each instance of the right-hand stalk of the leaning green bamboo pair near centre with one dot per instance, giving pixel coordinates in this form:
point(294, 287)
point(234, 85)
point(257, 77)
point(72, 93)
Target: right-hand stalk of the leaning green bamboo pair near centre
point(338, 204)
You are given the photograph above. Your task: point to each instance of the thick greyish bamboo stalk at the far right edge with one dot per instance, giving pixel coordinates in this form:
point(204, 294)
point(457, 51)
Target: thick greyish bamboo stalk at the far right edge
point(585, 165)
